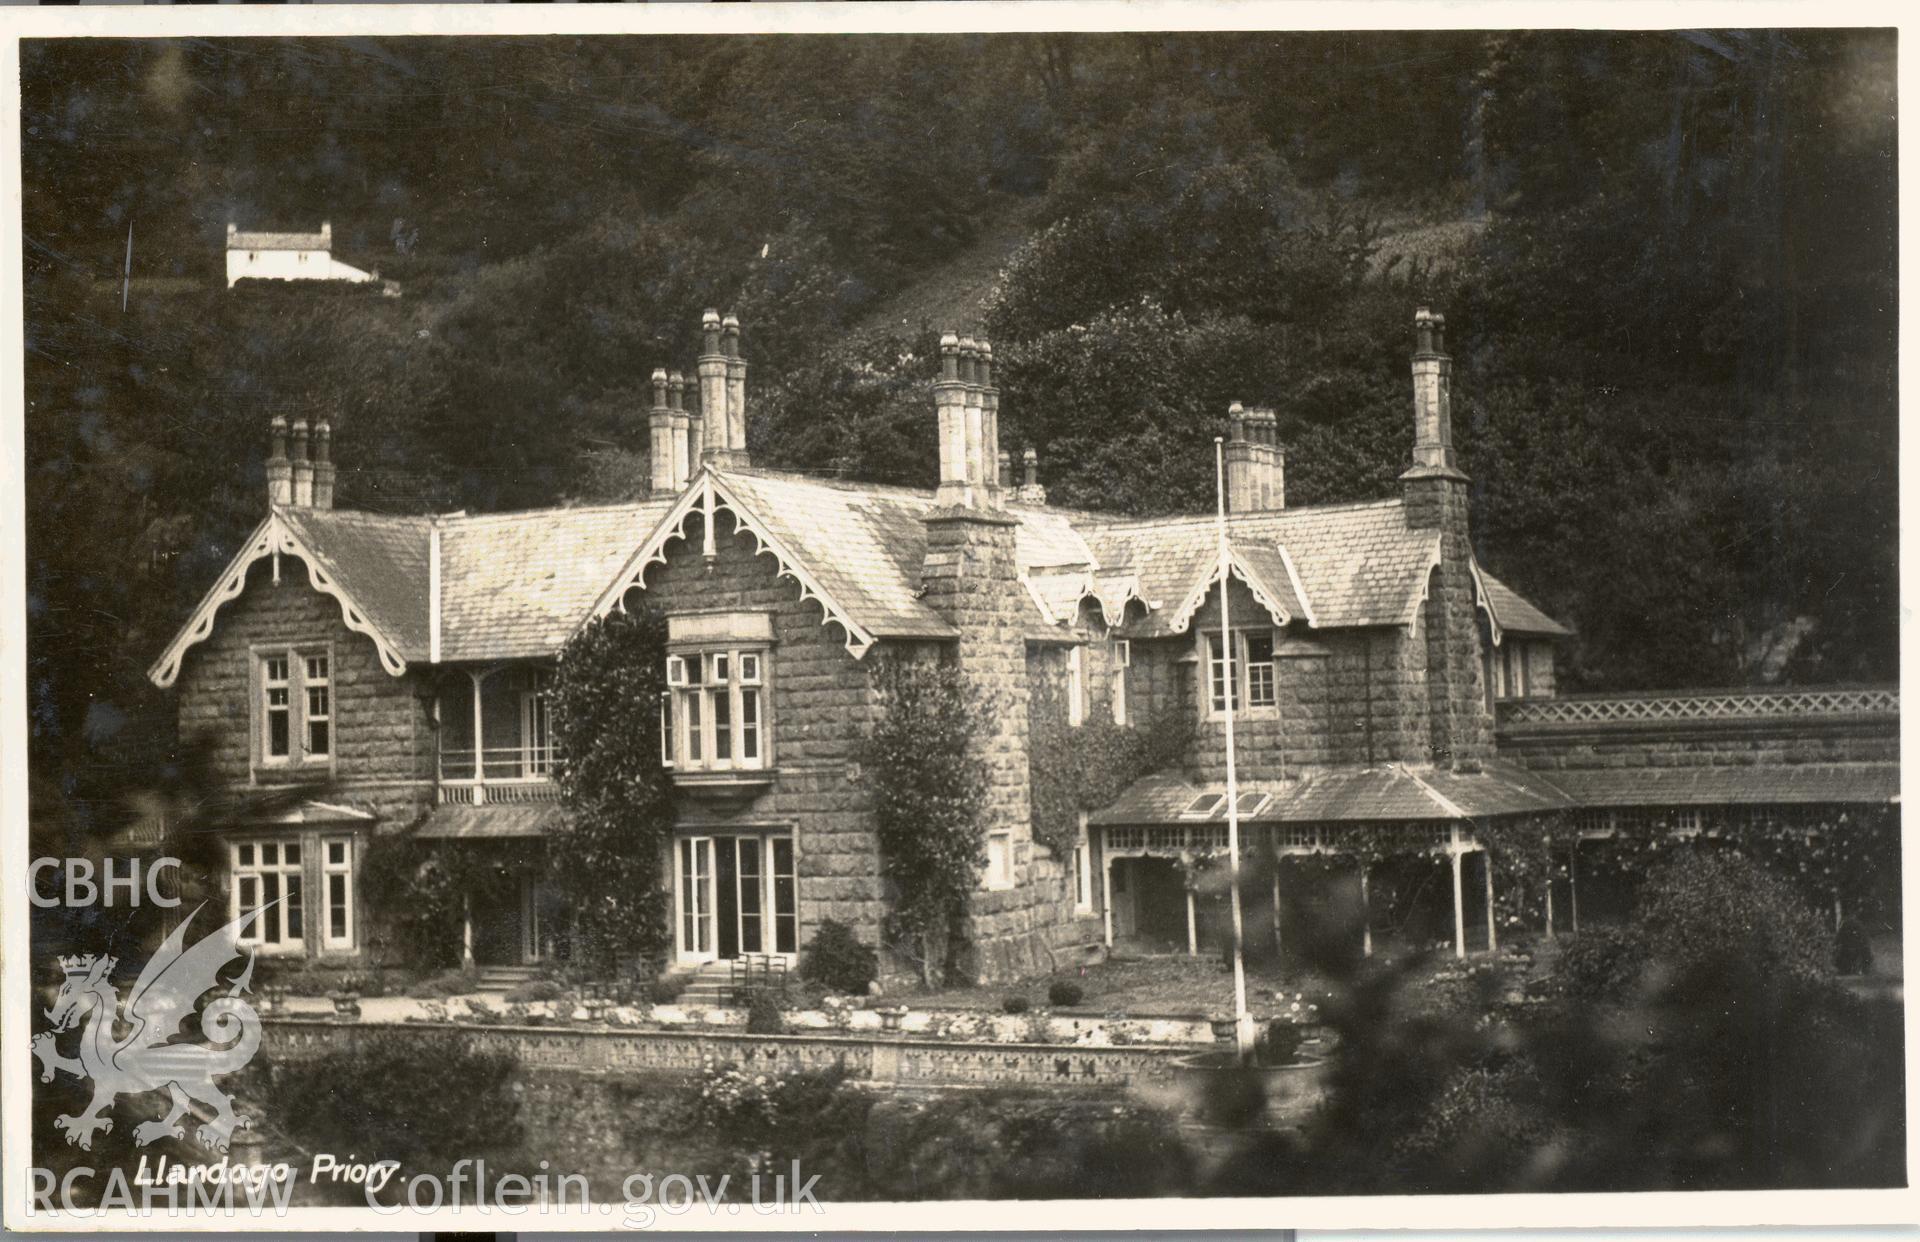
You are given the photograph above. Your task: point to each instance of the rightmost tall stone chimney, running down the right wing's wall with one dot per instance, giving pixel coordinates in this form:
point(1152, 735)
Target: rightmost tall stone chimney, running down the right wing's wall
point(1435, 498)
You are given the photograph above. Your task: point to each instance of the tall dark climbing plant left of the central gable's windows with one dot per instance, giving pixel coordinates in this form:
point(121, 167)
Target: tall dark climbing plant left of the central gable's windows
point(606, 859)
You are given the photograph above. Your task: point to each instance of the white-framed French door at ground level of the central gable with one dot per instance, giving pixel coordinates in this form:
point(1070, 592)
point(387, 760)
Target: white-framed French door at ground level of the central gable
point(734, 897)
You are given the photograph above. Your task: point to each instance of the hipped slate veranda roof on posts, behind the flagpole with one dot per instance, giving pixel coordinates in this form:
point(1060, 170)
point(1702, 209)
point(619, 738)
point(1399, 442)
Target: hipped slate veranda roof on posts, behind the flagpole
point(1335, 796)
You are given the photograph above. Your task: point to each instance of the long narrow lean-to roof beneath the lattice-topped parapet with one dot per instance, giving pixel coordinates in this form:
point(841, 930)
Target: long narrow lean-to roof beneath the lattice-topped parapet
point(1758, 786)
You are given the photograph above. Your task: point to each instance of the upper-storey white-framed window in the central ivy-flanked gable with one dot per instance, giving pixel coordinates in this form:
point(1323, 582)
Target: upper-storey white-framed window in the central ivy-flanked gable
point(715, 713)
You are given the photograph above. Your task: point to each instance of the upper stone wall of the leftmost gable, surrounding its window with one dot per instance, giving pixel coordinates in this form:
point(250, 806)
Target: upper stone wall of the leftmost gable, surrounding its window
point(383, 734)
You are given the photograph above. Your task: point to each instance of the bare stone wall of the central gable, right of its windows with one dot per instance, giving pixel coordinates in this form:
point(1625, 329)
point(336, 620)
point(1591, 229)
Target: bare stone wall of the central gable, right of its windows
point(821, 705)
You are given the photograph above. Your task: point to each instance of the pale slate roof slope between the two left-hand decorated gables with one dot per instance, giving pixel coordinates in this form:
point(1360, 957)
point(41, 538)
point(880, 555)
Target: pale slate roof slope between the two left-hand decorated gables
point(517, 585)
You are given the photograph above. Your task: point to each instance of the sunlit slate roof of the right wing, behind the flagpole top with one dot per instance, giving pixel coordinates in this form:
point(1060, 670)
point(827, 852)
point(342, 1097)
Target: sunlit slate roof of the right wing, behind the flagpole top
point(1360, 565)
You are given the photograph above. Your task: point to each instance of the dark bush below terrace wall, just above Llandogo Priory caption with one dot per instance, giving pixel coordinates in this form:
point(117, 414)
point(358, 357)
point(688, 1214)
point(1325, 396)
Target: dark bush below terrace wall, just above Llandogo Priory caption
point(416, 1097)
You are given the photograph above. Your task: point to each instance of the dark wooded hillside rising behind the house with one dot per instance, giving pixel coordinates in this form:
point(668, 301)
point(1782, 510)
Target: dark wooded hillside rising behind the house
point(1668, 260)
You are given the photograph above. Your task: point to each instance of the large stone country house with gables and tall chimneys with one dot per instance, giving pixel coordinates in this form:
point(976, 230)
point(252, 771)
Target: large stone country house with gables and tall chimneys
point(1378, 677)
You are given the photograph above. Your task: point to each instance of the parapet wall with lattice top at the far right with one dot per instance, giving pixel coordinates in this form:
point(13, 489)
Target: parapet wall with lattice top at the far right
point(1704, 728)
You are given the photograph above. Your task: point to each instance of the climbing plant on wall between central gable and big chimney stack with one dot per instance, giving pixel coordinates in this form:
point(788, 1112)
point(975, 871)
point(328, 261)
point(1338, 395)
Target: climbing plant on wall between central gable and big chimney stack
point(928, 786)
